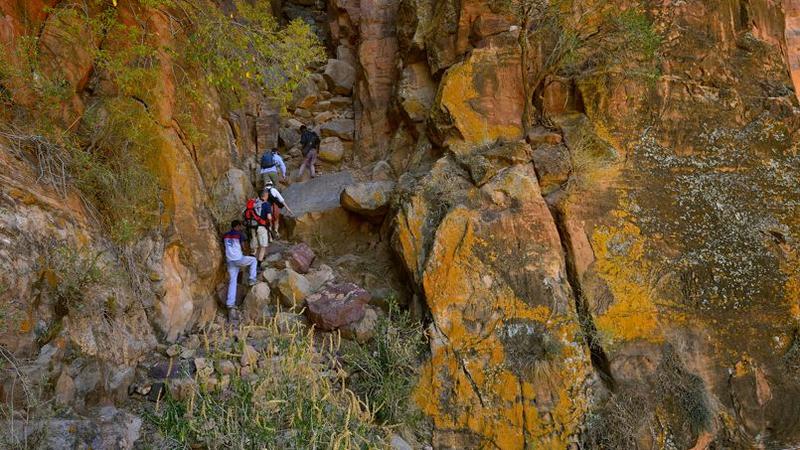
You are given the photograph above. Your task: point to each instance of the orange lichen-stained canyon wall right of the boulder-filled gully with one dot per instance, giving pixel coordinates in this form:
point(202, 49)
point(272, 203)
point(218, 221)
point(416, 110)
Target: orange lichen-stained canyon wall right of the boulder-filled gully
point(643, 277)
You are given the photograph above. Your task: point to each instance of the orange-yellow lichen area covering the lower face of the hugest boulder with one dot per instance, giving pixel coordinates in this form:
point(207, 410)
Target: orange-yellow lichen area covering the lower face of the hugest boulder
point(471, 383)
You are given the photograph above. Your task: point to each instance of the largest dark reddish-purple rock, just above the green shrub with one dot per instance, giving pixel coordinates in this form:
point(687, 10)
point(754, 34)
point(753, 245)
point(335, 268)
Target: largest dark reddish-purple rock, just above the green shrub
point(337, 305)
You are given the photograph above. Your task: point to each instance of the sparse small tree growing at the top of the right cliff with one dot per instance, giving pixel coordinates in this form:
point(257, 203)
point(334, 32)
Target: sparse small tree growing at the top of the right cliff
point(569, 36)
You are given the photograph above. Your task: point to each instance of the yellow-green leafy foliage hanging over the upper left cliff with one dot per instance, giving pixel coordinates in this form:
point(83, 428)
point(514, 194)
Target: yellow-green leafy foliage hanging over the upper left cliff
point(107, 152)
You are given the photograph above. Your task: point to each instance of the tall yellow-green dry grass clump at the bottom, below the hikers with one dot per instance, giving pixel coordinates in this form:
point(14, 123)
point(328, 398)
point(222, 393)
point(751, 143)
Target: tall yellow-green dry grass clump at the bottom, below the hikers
point(296, 398)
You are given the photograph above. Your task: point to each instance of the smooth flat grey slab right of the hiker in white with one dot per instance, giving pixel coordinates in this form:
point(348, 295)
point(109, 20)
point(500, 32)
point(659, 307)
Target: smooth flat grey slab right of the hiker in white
point(317, 194)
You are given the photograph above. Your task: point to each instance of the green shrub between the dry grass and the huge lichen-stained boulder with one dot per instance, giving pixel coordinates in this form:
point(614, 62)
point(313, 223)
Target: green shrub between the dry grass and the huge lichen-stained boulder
point(385, 370)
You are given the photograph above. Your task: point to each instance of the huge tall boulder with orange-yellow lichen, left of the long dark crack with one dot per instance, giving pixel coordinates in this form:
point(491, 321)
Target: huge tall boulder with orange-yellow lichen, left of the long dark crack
point(483, 249)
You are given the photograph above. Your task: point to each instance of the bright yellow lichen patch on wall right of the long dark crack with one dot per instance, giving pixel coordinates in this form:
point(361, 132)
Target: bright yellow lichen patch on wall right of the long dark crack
point(633, 313)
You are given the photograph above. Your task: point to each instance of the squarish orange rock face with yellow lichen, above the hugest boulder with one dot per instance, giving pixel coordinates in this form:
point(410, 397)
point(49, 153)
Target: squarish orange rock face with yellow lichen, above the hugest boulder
point(488, 122)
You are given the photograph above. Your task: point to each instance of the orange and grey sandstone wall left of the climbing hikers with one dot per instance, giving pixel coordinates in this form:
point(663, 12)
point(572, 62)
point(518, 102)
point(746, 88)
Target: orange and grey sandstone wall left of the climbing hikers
point(178, 265)
